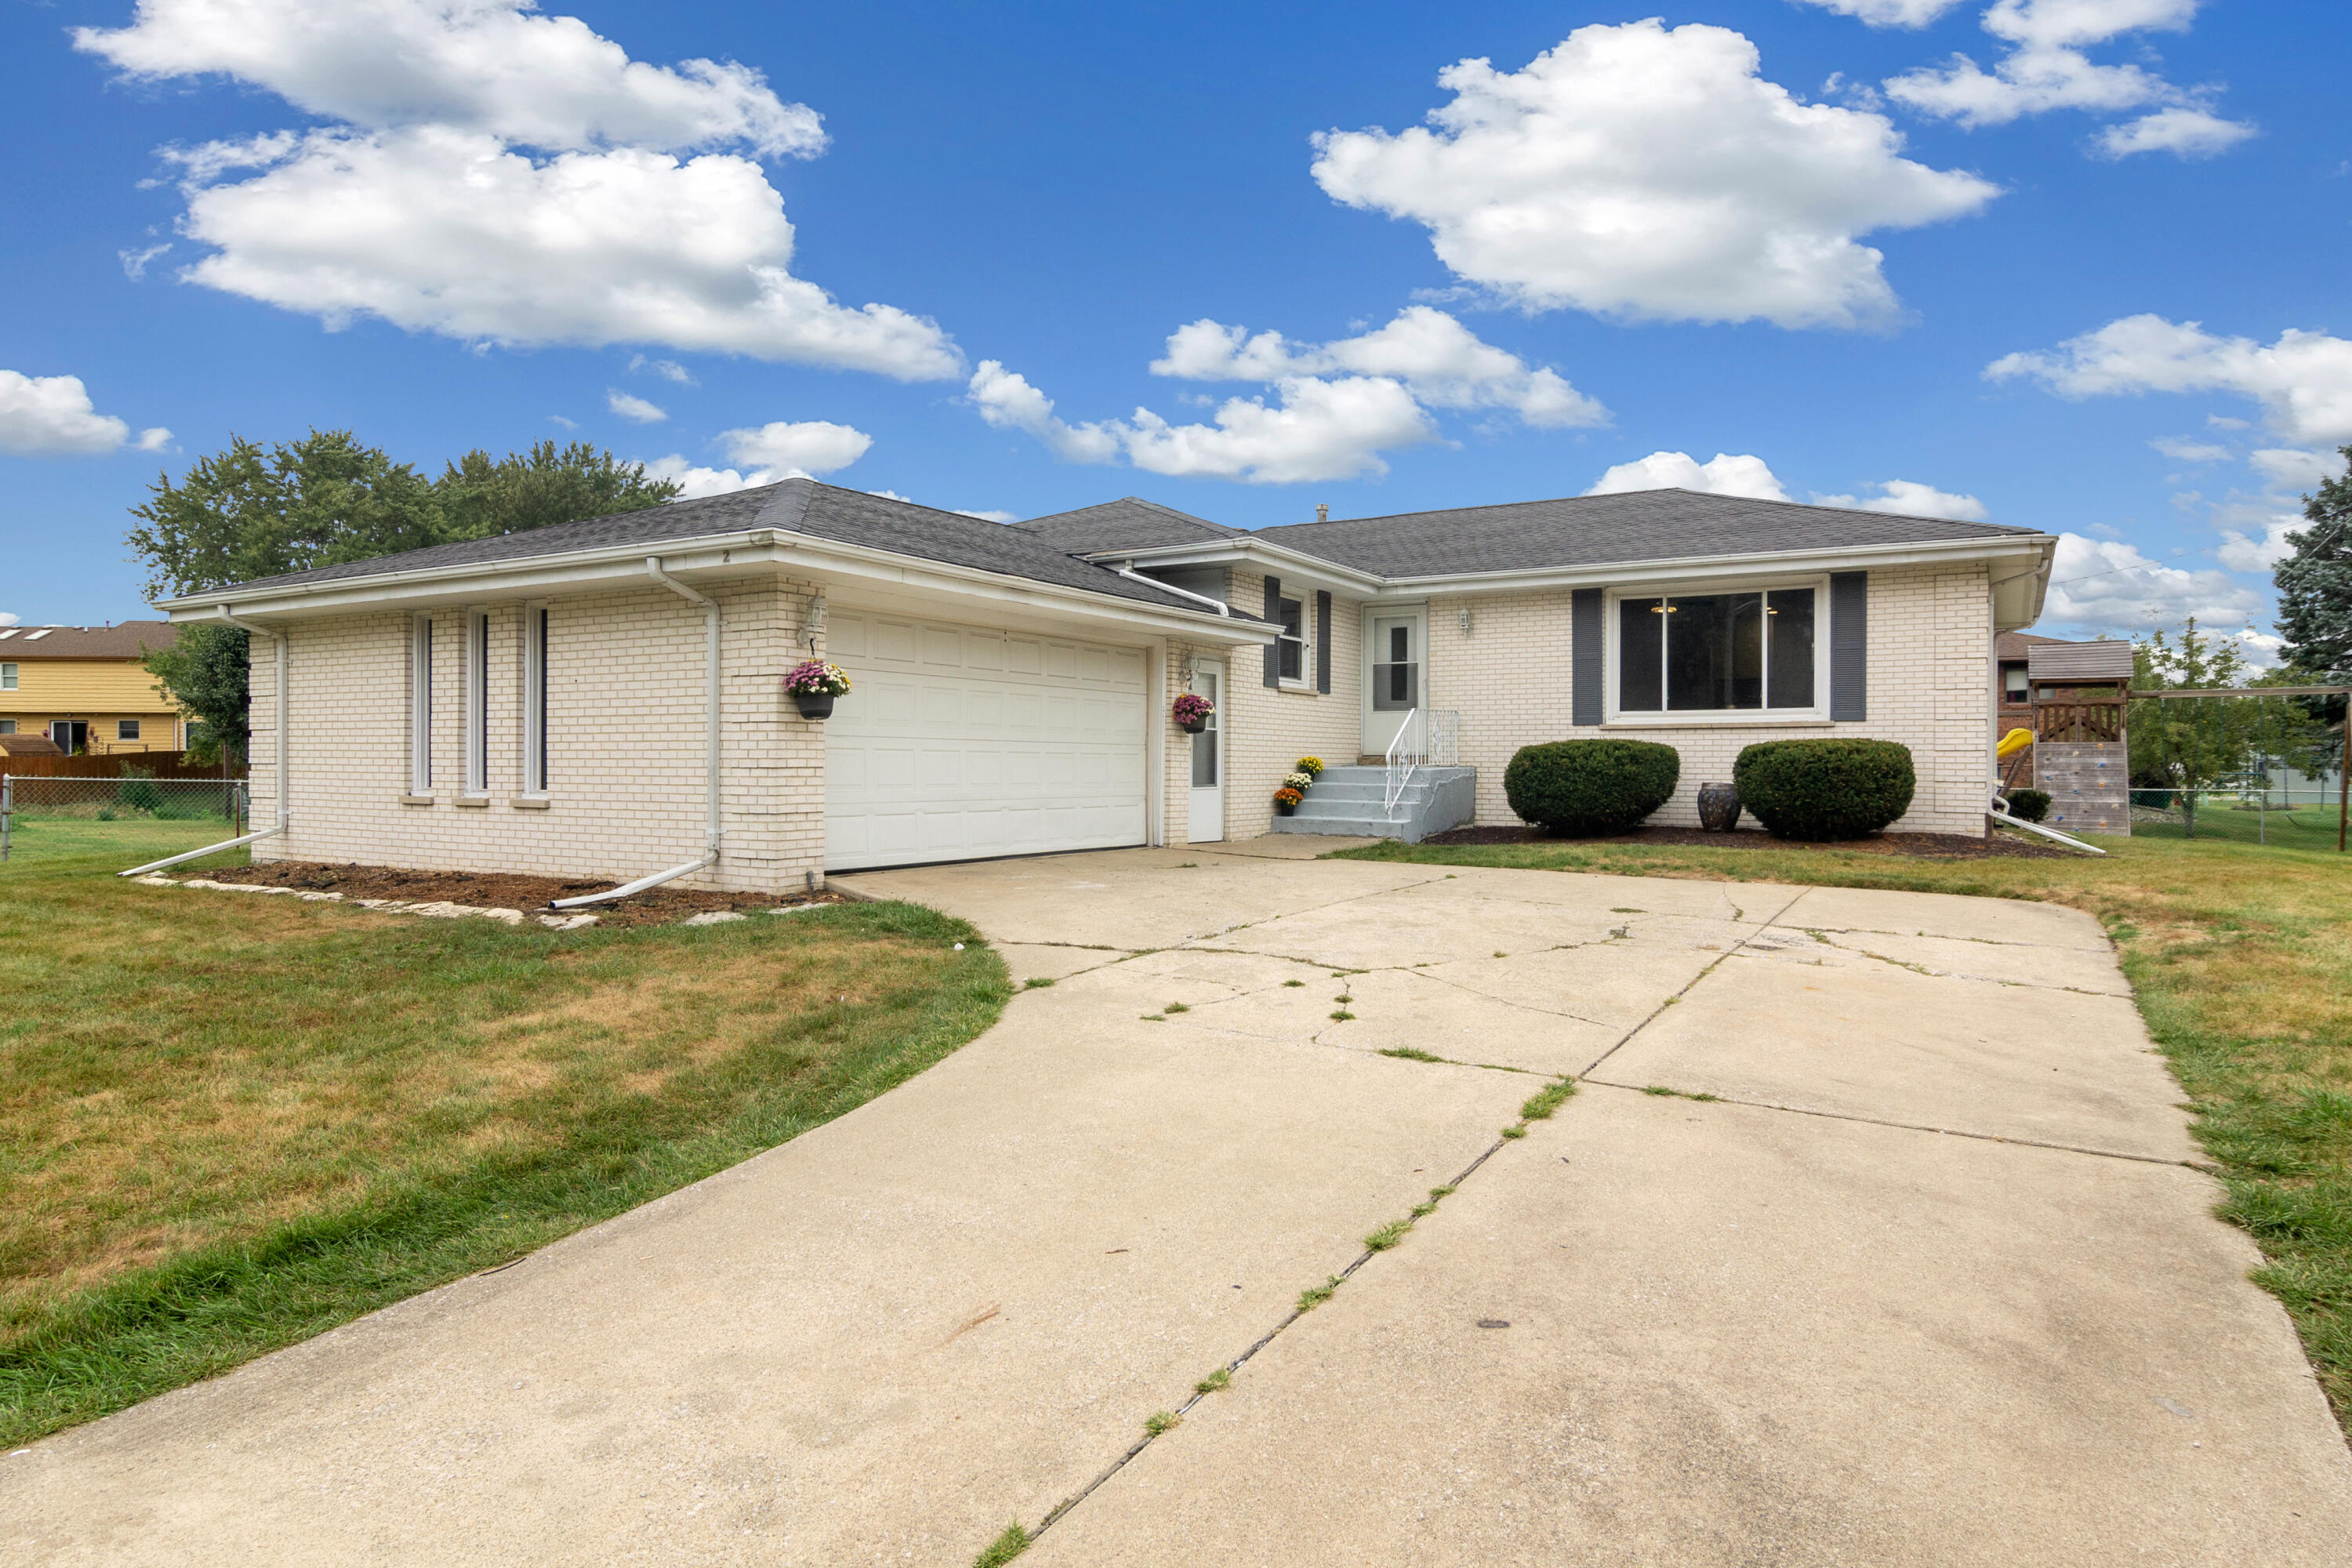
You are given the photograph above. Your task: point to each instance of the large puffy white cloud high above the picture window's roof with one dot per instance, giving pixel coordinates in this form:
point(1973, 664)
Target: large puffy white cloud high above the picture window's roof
point(1652, 175)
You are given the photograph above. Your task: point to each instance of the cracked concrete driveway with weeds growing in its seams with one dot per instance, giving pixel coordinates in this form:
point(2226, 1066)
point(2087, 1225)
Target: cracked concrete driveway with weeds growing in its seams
point(1871, 1238)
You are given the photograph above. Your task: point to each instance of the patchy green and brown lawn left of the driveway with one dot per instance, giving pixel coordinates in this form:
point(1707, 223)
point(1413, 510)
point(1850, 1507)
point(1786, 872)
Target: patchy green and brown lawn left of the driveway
point(232, 1123)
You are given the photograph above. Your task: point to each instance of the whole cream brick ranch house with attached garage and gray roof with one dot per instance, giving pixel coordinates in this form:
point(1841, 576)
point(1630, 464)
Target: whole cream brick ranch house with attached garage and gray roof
point(601, 697)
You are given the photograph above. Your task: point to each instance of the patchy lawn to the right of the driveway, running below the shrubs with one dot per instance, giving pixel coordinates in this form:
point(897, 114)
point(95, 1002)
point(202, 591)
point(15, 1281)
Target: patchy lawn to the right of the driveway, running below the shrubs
point(2243, 965)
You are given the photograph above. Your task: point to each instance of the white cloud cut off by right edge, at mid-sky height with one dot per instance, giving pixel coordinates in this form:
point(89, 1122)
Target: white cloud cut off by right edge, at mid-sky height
point(2304, 382)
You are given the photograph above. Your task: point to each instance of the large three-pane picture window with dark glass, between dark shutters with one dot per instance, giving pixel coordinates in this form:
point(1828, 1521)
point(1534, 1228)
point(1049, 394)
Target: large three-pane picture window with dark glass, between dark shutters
point(1718, 652)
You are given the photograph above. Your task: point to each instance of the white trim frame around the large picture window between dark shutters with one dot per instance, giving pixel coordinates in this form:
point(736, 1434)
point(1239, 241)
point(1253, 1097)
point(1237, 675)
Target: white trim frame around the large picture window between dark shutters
point(1711, 598)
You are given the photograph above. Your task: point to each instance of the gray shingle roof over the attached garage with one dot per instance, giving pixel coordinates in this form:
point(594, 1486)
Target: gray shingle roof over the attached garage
point(801, 507)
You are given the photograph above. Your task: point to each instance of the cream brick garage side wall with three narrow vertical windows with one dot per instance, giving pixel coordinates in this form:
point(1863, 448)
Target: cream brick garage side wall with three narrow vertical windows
point(624, 744)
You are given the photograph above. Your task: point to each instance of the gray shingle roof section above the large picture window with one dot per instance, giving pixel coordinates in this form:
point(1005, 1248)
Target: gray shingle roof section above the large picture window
point(1601, 530)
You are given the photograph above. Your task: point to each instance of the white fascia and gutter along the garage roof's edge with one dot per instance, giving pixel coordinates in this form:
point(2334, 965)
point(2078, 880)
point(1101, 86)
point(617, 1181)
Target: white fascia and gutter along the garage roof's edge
point(726, 556)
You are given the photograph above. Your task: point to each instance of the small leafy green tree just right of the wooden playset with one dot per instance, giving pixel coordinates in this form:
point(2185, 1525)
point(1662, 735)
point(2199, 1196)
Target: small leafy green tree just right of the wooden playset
point(2207, 744)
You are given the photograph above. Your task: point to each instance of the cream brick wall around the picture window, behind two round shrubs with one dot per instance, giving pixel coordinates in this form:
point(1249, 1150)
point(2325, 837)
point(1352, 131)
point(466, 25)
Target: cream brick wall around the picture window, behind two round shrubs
point(1930, 645)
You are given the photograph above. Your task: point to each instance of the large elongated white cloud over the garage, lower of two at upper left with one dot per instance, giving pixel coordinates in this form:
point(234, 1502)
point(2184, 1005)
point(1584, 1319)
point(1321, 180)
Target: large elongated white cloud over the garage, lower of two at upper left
point(450, 232)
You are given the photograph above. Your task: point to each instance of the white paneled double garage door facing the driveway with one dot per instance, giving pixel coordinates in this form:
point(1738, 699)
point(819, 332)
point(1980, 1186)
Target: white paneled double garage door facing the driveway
point(958, 742)
